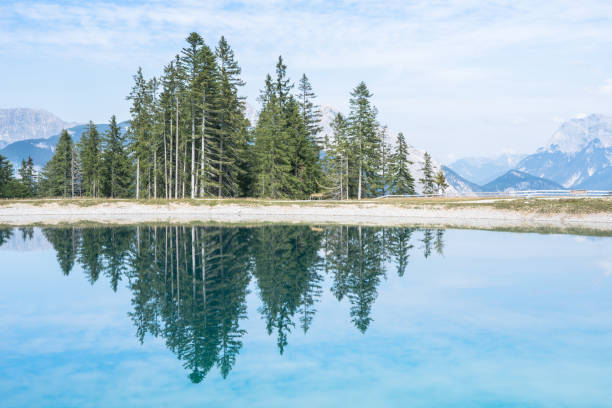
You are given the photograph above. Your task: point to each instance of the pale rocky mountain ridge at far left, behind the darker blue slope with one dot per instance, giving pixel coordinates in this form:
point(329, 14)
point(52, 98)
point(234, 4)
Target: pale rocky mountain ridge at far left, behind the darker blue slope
point(18, 124)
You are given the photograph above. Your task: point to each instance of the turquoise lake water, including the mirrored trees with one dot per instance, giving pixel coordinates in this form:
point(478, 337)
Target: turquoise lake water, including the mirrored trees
point(296, 316)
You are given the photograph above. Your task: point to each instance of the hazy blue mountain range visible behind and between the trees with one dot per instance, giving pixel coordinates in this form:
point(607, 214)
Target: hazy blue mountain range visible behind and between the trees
point(578, 155)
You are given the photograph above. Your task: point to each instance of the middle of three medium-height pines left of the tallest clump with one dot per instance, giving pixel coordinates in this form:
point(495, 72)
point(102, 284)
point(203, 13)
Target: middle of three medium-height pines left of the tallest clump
point(90, 147)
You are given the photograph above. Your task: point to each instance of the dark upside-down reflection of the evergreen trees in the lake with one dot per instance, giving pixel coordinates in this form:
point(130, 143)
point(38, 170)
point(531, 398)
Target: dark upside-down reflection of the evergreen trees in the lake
point(189, 284)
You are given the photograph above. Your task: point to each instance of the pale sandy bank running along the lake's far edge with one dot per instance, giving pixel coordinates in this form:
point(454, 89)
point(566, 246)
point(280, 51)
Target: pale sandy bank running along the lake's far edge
point(367, 214)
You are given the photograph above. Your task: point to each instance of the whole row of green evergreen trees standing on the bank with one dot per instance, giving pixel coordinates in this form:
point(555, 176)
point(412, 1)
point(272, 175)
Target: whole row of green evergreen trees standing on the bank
point(189, 137)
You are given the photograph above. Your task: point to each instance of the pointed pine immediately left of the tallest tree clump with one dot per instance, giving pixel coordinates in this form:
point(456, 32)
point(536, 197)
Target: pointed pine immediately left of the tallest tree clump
point(116, 164)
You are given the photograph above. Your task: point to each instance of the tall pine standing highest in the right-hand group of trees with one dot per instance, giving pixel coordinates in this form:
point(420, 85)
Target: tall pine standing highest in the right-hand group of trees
point(365, 140)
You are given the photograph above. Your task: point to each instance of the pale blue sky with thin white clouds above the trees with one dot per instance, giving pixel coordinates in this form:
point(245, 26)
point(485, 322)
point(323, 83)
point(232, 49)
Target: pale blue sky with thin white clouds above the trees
point(459, 78)
